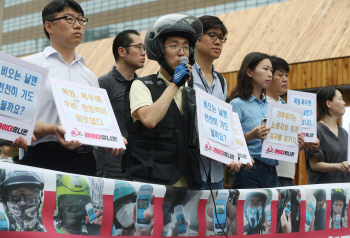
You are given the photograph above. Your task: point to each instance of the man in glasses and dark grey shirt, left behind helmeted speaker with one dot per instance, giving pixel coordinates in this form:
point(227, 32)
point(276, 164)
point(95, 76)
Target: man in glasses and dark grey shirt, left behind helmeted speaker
point(129, 53)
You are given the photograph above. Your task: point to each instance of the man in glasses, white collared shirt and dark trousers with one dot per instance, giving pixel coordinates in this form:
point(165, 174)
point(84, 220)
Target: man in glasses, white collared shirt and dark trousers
point(64, 24)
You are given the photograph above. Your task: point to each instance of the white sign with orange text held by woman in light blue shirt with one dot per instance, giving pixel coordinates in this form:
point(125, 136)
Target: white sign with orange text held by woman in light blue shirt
point(282, 141)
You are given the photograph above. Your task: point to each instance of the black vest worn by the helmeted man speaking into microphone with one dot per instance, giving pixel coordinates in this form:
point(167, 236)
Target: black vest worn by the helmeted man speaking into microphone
point(164, 153)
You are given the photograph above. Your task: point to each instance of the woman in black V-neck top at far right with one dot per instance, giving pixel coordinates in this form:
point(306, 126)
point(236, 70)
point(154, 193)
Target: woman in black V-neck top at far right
point(328, 164)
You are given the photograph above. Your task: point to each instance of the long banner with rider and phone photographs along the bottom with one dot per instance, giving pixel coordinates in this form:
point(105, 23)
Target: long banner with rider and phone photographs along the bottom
point(42, 203)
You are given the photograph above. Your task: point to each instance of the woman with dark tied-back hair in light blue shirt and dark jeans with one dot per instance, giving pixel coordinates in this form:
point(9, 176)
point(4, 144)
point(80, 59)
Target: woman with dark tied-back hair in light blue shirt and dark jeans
point(249, 102)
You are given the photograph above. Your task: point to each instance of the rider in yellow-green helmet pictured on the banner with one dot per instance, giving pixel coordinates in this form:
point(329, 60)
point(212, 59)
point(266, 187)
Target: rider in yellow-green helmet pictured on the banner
point(72, 195)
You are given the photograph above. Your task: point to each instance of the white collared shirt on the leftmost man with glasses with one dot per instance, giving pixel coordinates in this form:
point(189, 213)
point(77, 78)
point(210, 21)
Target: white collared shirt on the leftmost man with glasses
point(75, 72)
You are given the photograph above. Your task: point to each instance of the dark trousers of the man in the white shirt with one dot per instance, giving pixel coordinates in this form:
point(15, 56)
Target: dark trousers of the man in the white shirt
point(51, 155)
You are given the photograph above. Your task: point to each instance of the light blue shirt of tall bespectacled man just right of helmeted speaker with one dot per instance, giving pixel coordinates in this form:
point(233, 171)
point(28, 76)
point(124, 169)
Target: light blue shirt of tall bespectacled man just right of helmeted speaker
point(214, 168)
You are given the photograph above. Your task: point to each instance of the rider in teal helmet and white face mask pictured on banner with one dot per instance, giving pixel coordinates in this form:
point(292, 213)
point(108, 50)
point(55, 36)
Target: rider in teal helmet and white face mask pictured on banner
point(124, 205)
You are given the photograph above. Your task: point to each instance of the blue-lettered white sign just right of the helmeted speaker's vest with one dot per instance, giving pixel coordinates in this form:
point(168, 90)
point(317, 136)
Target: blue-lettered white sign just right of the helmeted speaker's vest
point(215, 127)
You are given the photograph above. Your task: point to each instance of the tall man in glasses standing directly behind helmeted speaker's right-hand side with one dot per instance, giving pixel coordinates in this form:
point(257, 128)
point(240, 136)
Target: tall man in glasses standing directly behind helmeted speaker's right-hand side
point(208, 48)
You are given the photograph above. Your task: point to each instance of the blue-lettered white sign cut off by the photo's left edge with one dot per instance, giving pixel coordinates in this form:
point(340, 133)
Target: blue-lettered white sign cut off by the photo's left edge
point(21, 88)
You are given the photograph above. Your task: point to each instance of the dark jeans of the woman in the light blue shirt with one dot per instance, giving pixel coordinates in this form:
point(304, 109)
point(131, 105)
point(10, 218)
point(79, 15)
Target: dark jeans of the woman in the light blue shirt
point(260, 175)
